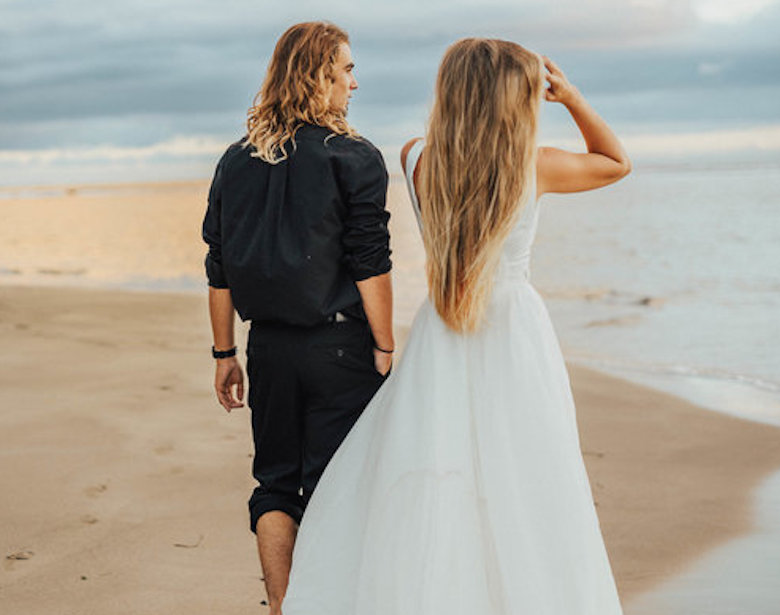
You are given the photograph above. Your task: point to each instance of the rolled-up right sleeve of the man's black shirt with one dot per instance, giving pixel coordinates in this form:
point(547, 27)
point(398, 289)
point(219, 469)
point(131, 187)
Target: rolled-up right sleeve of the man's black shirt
point(366, 237)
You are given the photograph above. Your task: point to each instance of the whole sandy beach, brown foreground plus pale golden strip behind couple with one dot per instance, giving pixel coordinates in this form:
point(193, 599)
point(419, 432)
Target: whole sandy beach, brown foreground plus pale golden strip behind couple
point(124, 483)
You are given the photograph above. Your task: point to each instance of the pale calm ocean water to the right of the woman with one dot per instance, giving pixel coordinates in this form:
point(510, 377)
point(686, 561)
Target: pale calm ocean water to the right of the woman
point(671, 278)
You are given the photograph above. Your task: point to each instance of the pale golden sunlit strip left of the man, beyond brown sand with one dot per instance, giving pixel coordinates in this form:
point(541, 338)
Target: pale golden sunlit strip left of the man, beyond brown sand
point(95, 235)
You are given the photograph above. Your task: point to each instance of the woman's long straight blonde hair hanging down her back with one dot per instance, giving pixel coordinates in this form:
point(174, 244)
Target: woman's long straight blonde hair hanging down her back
point(476, 170)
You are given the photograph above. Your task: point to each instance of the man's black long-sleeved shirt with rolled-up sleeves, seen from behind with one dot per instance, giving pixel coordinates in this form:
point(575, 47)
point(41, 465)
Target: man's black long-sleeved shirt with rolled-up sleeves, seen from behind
point(290, 240)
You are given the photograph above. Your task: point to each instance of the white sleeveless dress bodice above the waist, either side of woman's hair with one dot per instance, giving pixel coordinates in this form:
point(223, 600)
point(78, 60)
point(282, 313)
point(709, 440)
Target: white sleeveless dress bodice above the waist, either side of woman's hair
point(516, 252)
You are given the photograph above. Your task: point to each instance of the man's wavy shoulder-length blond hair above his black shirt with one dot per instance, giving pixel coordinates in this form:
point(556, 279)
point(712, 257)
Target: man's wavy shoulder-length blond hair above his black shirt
point(296, 89)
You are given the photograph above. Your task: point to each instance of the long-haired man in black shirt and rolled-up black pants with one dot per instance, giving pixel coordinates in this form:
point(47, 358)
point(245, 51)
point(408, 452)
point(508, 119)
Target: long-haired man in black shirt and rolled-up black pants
point(298, 244)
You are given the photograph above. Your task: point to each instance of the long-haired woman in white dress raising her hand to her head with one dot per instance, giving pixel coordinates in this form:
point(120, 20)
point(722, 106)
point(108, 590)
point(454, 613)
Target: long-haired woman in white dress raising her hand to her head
point(461, 489)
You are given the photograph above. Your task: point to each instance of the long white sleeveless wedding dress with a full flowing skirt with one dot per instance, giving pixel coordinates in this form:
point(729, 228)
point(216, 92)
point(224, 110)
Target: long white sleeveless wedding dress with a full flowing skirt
point(461, 489)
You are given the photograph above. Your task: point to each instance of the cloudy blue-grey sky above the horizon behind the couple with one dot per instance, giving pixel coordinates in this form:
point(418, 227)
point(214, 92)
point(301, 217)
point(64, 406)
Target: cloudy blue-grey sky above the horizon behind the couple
point(144, 91)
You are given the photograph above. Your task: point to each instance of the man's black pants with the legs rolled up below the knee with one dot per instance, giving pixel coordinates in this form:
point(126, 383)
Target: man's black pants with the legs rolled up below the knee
point(307, 387)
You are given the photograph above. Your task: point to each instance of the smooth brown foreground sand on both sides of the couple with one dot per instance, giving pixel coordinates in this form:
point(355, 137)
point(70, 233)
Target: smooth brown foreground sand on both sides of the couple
point(124, 483)
